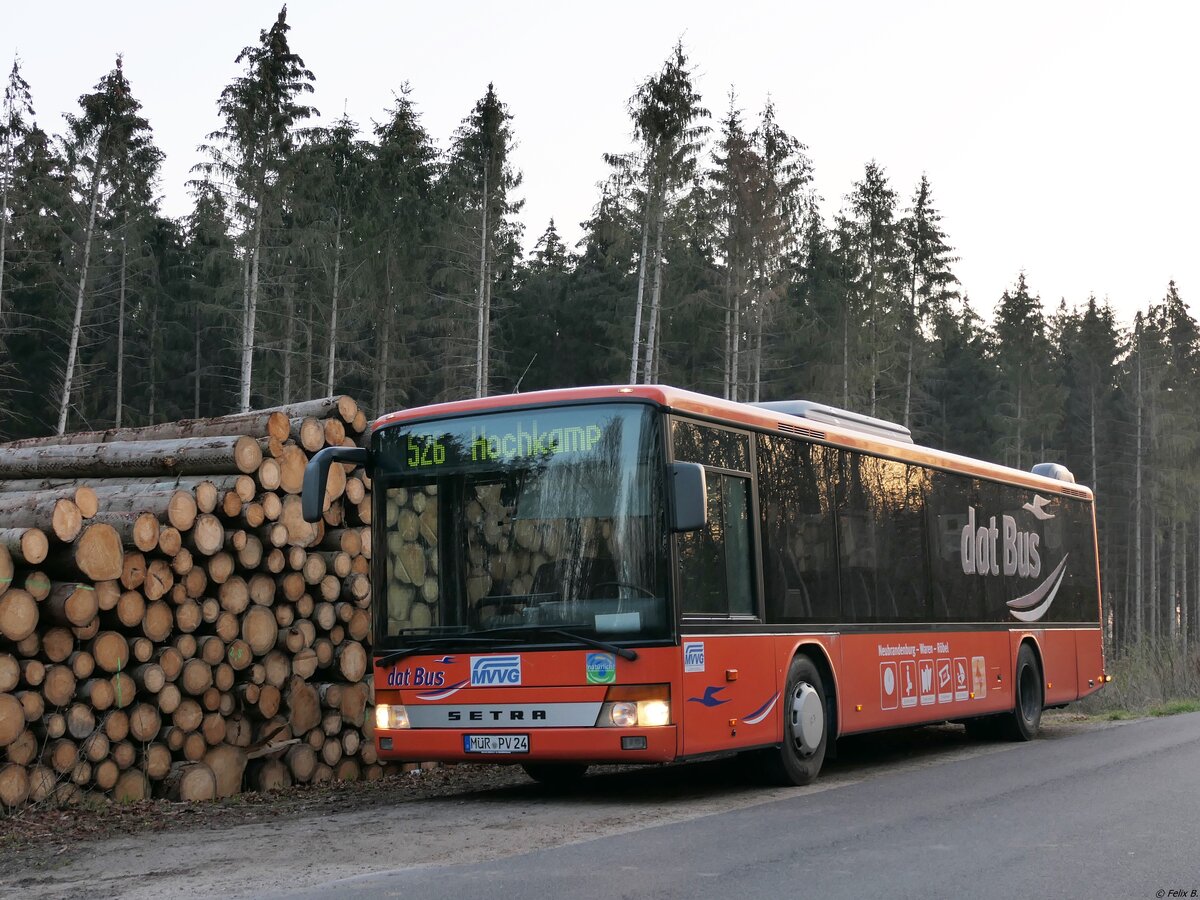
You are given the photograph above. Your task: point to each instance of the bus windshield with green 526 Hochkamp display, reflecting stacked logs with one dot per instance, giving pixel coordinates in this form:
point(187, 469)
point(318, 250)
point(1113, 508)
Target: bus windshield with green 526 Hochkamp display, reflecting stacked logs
point(521, 526)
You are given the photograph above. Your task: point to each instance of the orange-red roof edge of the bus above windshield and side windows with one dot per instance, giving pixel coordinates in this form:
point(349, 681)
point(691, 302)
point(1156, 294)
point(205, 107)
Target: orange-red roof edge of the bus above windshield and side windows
point(757, 417)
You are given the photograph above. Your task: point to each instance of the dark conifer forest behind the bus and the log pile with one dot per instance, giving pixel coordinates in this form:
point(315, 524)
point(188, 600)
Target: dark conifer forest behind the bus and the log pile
point(388, 263)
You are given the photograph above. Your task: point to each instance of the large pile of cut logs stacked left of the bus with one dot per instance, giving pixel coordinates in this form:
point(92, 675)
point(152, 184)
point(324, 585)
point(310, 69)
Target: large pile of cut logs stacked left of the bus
point(170, 625)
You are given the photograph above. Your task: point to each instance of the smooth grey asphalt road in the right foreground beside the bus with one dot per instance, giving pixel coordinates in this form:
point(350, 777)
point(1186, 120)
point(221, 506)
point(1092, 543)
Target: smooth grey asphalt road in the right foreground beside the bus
point(1109, 813)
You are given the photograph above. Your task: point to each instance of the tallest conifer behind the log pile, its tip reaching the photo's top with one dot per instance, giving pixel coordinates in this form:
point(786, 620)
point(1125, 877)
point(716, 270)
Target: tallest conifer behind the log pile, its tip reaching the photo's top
point(261, 112)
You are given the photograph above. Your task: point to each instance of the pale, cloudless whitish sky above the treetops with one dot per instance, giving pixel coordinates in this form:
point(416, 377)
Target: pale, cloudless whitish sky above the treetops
point(1060, 139)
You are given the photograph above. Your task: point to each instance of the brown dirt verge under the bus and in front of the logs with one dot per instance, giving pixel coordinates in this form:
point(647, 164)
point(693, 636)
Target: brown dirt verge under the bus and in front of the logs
point(259, 845)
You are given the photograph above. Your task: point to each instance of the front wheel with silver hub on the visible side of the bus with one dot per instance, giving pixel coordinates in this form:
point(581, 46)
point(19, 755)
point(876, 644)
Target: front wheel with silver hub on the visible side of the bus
point(806, 713)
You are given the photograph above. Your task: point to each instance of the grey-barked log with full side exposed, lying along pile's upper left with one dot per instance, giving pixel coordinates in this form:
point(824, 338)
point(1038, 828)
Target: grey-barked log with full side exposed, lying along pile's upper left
point(207, 457)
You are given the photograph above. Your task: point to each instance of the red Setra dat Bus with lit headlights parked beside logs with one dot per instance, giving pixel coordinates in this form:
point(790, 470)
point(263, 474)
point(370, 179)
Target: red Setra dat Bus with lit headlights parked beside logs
point(644, 574)
